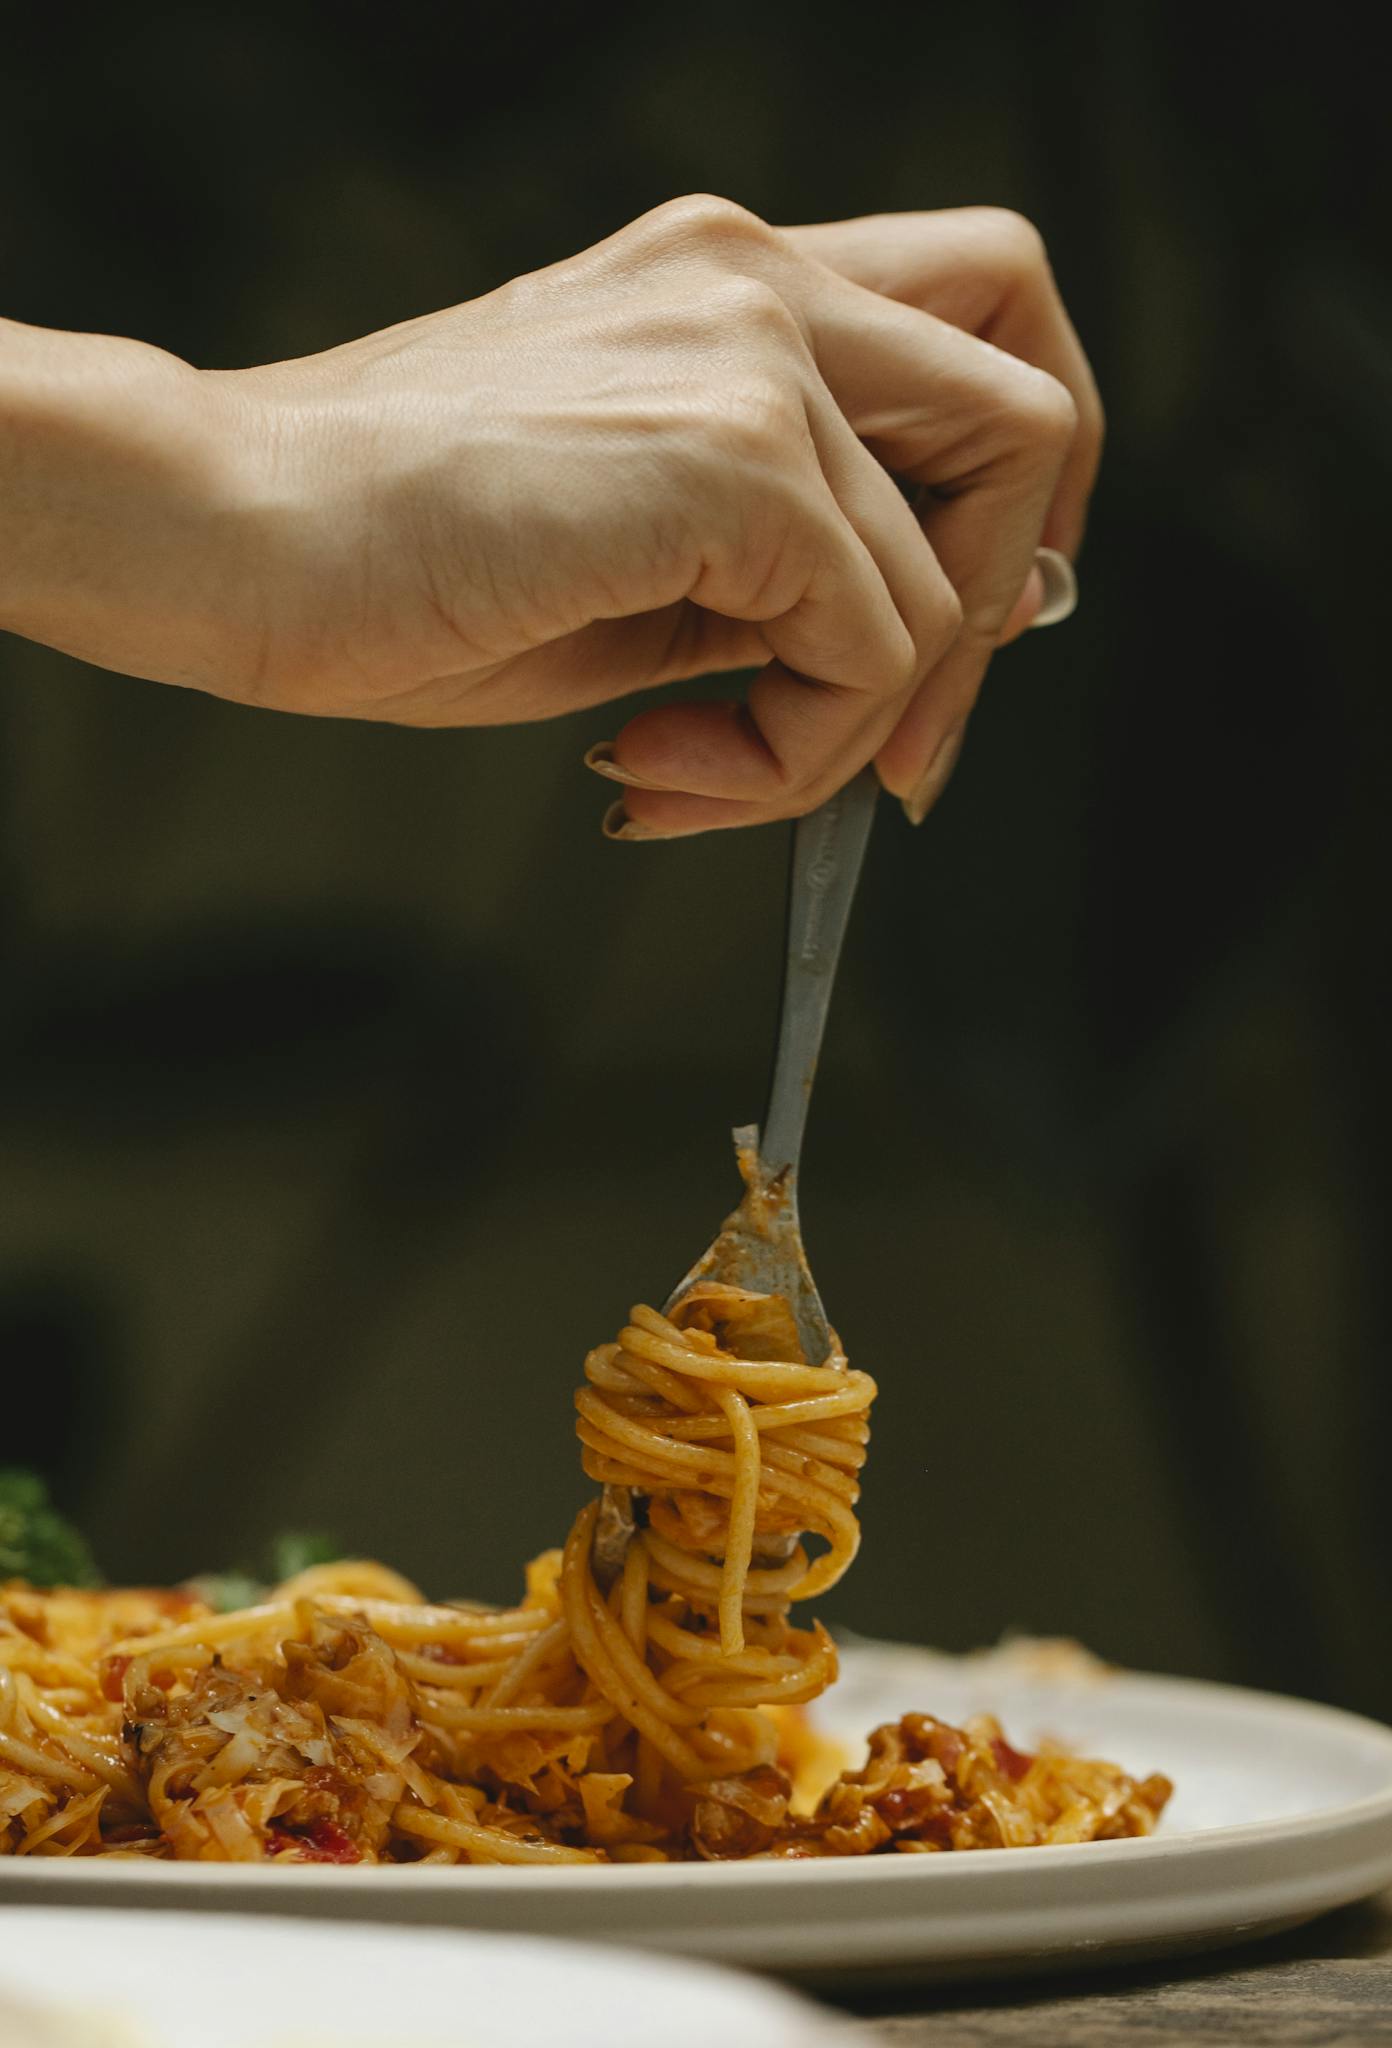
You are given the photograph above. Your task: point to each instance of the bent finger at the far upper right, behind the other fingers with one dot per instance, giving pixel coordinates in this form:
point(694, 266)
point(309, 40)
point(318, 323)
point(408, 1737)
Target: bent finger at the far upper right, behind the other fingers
point(982, 269)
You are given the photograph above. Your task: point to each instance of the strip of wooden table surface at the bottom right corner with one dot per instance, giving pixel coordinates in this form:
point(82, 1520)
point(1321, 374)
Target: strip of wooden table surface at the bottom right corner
point(1330, 1986)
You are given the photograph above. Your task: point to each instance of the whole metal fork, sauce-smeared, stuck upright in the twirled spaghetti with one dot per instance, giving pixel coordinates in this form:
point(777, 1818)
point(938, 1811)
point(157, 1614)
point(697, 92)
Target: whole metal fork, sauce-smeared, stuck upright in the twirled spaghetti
point(760, 1244)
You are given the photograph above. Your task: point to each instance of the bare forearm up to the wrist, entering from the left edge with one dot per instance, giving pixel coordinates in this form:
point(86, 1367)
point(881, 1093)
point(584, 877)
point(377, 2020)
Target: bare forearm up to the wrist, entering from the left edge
point(114, 486)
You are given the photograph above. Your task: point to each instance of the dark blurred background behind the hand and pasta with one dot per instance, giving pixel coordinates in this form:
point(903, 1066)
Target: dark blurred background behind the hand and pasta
point(351, 1086)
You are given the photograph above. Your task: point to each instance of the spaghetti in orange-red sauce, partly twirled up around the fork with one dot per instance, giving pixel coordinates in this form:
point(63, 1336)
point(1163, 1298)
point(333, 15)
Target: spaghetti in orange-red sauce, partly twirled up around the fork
point(640, 1703)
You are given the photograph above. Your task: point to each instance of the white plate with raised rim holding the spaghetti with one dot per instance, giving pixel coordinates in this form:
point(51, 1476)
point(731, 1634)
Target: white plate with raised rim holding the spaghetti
point(1282, 1811)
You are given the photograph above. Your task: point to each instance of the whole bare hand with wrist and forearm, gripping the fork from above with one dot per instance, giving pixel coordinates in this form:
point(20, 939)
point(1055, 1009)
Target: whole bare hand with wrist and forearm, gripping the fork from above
point(668, 456)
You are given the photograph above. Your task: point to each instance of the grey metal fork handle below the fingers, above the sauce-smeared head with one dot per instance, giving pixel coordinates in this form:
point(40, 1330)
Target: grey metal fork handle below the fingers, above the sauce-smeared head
point(828, 849)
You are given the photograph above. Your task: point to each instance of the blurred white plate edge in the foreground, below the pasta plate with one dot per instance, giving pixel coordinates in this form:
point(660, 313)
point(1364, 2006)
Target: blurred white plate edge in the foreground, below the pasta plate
point(97, 1979)
